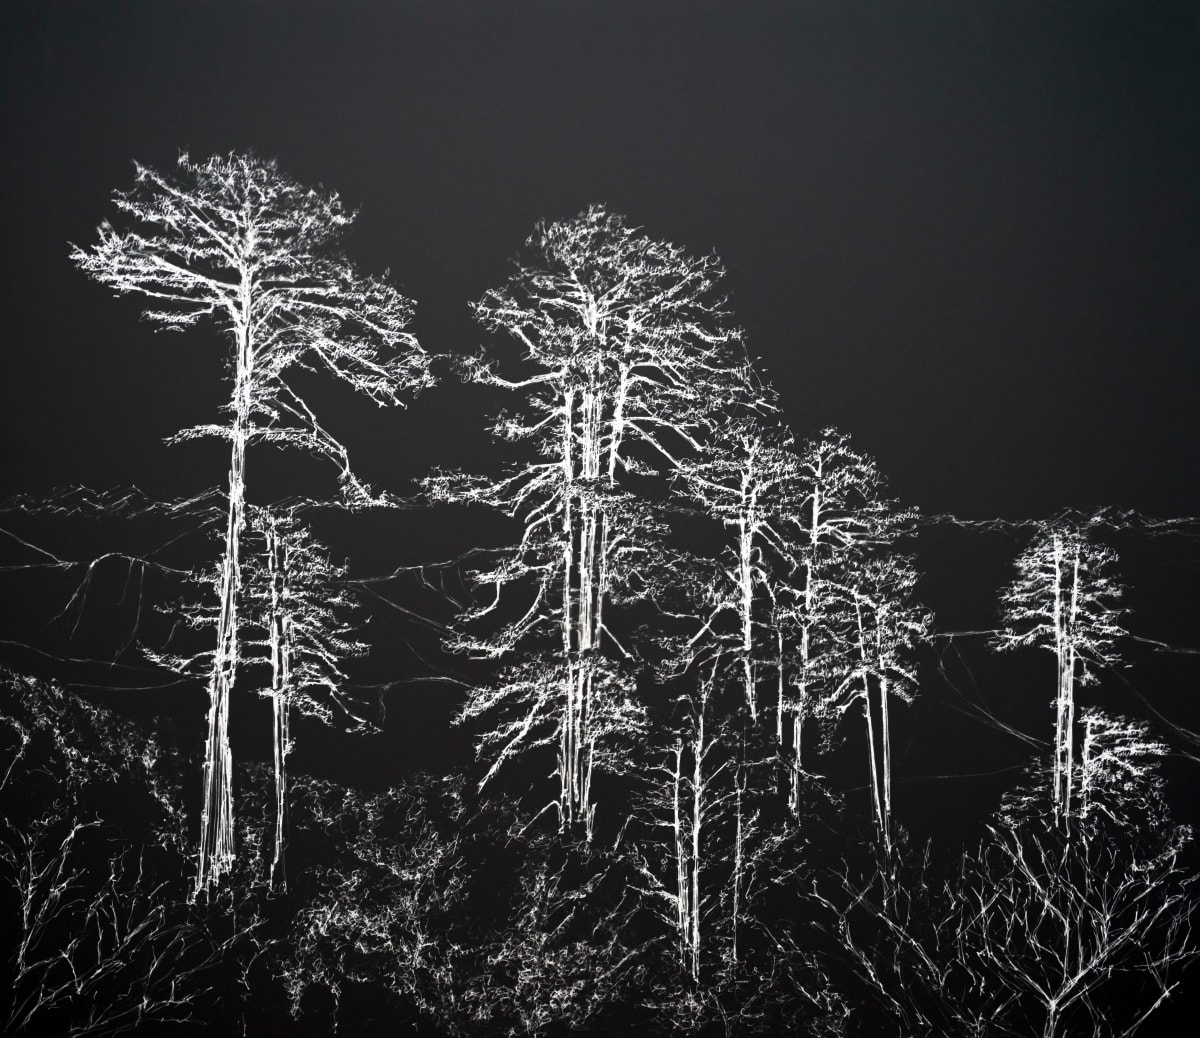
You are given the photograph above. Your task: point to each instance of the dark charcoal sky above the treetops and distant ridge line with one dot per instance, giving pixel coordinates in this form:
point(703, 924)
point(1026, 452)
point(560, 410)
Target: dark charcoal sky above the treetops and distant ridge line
point(967, 233)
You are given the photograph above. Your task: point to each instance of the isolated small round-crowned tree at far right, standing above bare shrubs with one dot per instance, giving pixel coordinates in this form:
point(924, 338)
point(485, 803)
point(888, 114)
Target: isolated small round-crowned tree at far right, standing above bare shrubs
point(1064, 601)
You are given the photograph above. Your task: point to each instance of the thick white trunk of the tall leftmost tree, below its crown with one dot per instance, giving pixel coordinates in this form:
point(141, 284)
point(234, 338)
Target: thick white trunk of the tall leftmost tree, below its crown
point(217, 850)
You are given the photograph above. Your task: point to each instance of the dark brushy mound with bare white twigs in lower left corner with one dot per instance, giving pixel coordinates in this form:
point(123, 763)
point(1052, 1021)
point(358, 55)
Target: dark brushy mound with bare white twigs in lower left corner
point(101, 938)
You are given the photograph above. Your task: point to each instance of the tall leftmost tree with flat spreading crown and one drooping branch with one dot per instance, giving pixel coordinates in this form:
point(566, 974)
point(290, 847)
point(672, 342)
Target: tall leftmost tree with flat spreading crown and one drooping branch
point(236, 241)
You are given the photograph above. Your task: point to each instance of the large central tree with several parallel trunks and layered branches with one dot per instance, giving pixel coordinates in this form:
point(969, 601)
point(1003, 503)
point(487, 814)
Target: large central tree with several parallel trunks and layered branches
point(632, 363)
